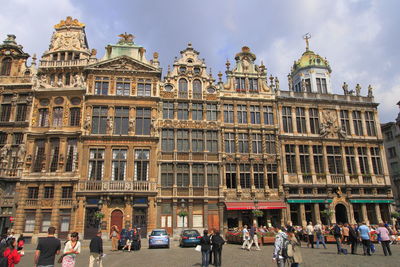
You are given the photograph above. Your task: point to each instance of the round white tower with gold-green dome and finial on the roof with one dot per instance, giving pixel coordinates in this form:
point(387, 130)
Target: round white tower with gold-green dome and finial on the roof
point(311, 73)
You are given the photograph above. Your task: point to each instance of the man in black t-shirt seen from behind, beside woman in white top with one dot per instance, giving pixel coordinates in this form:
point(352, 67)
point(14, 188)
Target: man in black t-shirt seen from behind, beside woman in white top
point(47, 249)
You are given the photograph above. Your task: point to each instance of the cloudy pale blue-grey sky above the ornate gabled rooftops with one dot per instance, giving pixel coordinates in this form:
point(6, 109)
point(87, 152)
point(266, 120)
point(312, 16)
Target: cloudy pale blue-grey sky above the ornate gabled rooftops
point(360, 38)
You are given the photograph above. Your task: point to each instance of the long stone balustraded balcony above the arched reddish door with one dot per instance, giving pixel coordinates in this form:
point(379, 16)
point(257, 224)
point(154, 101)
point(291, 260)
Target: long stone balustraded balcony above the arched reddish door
point(117, 186)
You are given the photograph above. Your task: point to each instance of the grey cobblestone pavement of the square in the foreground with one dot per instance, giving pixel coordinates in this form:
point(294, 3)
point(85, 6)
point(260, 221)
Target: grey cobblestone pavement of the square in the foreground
point(232, 256)
